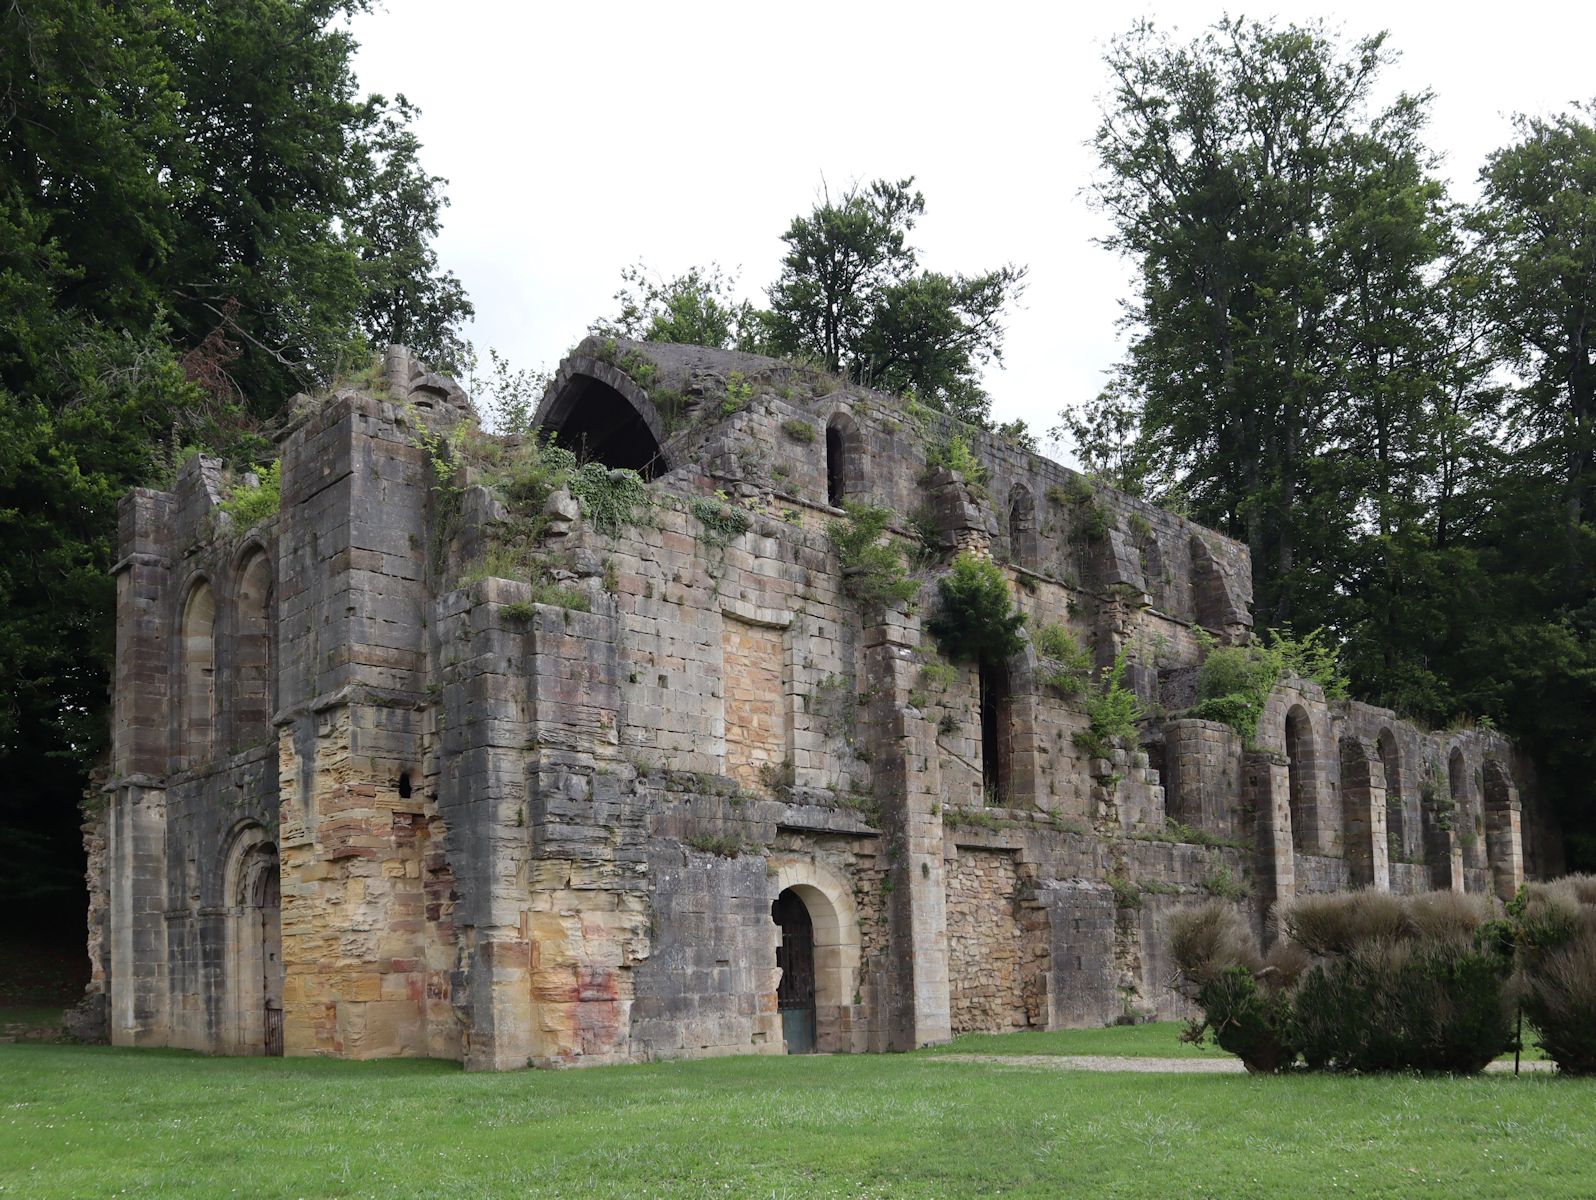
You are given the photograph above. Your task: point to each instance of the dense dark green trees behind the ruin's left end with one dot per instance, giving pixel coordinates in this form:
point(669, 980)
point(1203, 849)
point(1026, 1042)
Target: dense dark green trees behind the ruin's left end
point(200, 216)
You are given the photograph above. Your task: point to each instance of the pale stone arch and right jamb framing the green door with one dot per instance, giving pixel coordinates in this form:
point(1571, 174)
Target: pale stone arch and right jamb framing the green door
point(834, 941)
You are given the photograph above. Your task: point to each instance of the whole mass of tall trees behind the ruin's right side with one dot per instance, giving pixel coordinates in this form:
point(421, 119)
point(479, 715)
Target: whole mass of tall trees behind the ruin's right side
point(1386, 395)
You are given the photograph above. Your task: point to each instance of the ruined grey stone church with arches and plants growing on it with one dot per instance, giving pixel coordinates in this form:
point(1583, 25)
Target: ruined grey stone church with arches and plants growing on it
point(658, 784)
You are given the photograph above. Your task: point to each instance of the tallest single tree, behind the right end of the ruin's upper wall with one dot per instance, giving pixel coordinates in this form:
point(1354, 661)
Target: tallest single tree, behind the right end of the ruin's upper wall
point(1247, 178)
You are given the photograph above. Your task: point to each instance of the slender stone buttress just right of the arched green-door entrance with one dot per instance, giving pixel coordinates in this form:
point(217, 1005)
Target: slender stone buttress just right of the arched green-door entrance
point(909, 791)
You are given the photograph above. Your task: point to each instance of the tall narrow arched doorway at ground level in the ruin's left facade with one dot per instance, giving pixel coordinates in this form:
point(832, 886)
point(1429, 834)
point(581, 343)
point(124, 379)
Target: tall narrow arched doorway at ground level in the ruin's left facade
point(253, 1022)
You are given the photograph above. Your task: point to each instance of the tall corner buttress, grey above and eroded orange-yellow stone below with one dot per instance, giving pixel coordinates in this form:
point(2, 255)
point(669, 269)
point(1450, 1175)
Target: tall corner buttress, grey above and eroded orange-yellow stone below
point(355, 829)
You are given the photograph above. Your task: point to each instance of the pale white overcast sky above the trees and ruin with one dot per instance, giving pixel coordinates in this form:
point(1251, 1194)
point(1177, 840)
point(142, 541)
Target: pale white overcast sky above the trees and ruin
point(579, 140)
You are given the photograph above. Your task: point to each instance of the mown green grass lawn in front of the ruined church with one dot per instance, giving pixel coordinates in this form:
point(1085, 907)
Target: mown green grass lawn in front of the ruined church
point(92, 1123)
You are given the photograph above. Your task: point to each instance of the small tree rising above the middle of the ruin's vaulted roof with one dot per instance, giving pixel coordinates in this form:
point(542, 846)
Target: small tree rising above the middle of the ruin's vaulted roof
point(853, 296)
